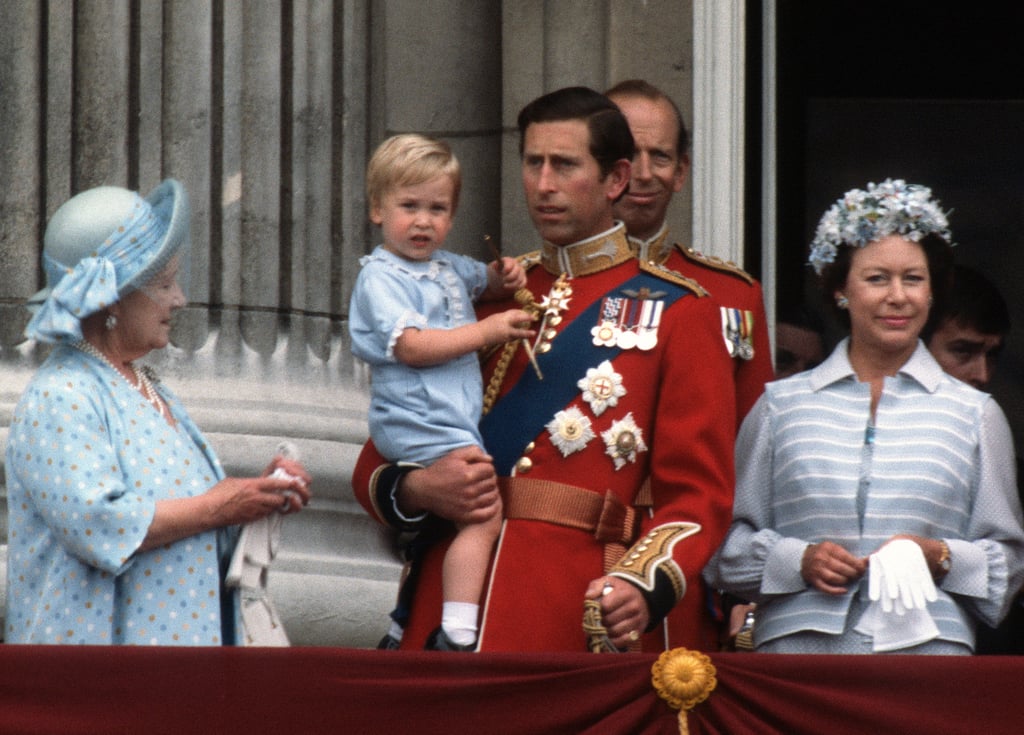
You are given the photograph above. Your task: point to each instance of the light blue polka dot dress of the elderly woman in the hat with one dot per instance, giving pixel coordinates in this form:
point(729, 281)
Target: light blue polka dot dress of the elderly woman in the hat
point(89, 458)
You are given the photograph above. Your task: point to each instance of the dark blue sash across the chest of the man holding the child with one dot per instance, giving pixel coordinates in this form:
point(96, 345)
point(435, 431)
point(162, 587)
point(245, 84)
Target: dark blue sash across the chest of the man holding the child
point(522, 414)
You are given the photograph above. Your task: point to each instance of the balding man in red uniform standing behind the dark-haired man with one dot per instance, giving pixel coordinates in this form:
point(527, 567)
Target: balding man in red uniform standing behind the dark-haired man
point(660, 170)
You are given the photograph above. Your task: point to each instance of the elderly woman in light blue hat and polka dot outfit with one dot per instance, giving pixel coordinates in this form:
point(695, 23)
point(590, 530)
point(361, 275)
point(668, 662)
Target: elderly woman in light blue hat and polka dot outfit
point(121, 521)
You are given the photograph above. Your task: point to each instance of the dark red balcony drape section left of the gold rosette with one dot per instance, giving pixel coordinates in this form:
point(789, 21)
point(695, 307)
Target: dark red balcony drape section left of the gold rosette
point(94, 690)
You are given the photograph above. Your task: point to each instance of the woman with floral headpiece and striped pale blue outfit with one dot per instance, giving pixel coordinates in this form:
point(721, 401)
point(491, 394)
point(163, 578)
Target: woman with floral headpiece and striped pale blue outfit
point(876, 504)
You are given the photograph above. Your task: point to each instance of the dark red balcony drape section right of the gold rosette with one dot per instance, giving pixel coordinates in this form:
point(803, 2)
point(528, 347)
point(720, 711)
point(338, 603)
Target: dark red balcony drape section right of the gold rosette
point(864, 696)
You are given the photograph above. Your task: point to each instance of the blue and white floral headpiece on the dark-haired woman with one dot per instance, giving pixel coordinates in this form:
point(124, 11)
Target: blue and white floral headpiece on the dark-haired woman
point(863, 217)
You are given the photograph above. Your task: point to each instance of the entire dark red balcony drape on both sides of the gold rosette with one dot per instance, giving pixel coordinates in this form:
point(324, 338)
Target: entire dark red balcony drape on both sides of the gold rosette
point(70, 690)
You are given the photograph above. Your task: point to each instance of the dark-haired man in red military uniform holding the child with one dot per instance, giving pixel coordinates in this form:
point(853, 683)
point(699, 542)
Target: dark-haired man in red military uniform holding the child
point(614, 453)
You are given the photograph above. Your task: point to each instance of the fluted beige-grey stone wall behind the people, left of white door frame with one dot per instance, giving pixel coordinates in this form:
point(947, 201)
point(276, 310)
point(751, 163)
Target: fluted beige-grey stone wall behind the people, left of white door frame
point(269, 120)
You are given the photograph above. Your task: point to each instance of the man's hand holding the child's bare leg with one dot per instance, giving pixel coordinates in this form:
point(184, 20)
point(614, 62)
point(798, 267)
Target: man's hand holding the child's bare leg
point(462, 487)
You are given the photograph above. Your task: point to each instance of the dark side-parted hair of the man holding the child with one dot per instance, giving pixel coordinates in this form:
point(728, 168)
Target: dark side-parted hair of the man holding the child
point(611, 140)
